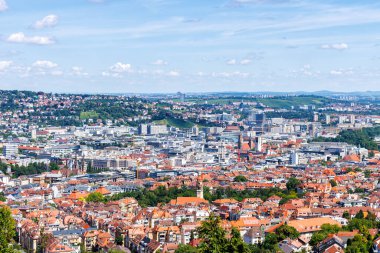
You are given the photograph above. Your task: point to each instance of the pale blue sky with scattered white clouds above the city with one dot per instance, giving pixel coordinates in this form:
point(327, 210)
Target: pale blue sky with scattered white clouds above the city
point(146, 46)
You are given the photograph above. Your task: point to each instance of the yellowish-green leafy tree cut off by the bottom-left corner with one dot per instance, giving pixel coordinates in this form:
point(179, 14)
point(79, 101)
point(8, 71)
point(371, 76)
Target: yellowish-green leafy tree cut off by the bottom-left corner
point(7, 229)
